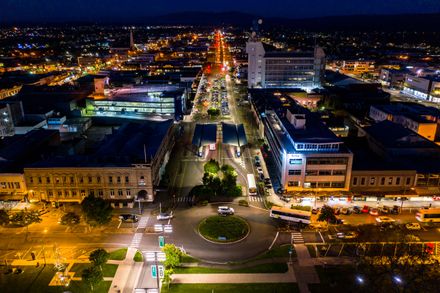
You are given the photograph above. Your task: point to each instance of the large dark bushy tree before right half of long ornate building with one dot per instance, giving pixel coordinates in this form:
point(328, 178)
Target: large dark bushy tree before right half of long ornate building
point(97, 209)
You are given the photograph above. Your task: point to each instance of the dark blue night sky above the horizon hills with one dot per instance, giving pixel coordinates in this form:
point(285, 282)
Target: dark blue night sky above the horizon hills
point(108, 10)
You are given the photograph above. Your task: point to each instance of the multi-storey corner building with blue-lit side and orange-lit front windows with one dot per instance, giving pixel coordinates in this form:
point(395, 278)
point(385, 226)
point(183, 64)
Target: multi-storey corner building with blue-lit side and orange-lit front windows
point(307, 155)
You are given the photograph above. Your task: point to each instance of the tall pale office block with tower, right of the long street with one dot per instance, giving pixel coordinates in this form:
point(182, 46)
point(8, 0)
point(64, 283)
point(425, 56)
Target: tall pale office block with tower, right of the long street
point(278, 69)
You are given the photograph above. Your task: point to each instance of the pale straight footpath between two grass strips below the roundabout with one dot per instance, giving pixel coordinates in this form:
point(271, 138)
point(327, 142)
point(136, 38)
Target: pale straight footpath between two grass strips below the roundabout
point(288, 277)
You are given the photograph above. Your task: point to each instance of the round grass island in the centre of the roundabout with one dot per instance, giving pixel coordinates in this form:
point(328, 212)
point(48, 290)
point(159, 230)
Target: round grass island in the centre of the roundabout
point(230, 227)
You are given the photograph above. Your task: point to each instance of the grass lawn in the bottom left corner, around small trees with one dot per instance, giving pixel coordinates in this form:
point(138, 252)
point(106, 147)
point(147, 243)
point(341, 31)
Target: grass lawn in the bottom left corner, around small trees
point(37, 280)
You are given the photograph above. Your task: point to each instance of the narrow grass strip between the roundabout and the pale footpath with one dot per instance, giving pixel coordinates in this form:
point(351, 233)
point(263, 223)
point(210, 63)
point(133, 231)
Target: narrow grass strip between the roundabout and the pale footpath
point(259, 269)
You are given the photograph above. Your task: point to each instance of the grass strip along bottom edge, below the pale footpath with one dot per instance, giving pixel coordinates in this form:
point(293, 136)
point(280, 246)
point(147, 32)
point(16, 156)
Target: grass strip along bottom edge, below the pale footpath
point(229, 288)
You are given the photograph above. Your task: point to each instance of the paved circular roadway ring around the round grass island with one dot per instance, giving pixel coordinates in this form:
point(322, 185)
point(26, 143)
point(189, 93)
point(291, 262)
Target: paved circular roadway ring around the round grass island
point(260, 235)
